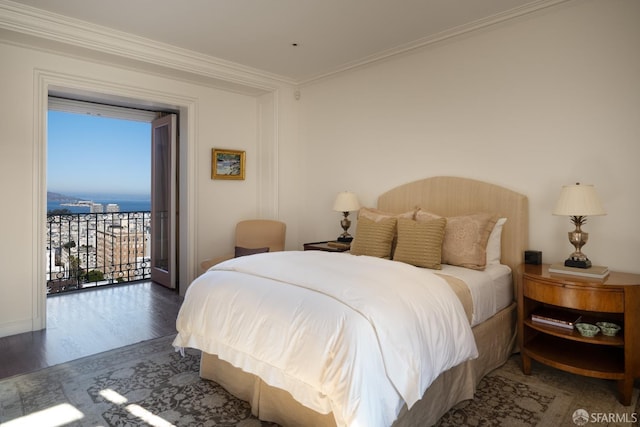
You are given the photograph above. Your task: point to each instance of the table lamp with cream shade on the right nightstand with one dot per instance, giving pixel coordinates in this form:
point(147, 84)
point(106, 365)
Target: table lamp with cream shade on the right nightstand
point(578, 201)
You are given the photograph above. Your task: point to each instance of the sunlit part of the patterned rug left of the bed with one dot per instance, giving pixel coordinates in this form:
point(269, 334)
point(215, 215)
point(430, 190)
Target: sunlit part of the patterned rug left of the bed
point(146, 384)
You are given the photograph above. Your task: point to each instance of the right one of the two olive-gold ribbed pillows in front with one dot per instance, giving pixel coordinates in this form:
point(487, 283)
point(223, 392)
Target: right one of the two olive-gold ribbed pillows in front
point(420, 243)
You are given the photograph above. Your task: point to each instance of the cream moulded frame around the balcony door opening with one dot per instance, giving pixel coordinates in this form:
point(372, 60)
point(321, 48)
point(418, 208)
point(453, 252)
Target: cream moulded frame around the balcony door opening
point(50, 83)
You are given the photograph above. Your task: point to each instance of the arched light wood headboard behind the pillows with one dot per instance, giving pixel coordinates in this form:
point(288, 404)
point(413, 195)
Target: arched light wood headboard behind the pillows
point(452, 196)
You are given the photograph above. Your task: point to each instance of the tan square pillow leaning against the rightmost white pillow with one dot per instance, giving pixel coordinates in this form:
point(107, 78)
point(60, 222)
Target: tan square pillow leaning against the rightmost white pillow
point(465, 240)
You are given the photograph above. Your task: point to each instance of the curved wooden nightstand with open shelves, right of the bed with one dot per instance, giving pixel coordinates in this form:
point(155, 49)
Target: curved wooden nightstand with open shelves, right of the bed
point(614, 299)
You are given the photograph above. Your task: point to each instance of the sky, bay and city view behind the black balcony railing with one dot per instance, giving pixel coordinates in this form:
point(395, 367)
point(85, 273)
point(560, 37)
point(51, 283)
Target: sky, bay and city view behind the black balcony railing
point(98, 218)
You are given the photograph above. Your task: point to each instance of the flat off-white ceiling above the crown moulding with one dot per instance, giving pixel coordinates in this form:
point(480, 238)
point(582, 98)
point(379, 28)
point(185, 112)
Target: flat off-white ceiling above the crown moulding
point(299, 40)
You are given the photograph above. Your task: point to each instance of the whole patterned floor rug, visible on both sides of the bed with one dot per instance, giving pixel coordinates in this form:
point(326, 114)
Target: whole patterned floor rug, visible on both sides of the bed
point(148, 384)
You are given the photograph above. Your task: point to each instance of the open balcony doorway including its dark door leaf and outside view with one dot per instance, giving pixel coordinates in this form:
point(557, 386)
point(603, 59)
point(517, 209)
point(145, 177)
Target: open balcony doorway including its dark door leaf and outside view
point(104, 199)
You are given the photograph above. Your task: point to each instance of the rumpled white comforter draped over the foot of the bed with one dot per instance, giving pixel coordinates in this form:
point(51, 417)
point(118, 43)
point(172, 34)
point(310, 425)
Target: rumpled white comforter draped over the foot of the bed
point(353, 335)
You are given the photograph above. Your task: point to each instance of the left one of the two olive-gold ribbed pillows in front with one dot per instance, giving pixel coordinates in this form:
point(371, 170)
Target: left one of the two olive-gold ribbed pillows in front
point(374, 238)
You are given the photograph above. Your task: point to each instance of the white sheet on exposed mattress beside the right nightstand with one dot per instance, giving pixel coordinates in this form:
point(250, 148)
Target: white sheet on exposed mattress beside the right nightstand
point(491, 289)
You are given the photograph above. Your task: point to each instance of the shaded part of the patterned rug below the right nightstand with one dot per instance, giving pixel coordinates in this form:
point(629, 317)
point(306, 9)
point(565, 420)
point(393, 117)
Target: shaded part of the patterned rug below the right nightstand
point(546, 398)
